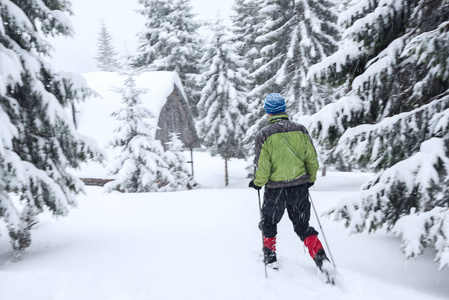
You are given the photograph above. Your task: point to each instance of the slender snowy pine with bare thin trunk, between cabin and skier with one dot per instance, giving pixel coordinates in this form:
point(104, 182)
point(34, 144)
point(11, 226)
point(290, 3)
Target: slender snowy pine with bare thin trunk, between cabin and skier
point(222, 104)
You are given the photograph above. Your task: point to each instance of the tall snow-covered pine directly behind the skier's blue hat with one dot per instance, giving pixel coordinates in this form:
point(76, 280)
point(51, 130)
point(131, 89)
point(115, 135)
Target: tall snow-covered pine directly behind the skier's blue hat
point(296, 35)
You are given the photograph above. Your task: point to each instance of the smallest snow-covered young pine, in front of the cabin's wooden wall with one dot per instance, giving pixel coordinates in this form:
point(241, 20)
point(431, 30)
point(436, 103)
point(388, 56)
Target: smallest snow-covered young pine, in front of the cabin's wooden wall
point(179, 176)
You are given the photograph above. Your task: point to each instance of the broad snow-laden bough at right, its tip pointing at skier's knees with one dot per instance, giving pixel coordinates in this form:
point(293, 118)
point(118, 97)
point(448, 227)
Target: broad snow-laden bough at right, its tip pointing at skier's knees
point(390, 195)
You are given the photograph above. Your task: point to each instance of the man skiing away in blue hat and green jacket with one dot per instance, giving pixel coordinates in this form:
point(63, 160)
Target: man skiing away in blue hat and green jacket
point(286, 164)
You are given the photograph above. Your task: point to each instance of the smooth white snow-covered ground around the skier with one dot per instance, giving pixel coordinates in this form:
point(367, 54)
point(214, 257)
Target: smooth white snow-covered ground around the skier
point(205, 244)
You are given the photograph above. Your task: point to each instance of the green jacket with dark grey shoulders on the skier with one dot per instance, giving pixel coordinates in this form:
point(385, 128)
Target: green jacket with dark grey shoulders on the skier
point(284, 154)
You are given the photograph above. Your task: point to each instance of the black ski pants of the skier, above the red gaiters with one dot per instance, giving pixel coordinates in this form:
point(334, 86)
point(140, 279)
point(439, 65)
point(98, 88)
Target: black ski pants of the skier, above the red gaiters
point(296, 200)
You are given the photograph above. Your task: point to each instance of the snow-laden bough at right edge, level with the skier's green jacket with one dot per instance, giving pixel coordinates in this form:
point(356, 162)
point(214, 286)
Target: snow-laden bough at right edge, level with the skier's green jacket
point(383, 144)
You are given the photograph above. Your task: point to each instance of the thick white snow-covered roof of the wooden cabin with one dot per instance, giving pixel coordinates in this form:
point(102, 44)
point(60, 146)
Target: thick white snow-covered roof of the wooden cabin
point(94, 115)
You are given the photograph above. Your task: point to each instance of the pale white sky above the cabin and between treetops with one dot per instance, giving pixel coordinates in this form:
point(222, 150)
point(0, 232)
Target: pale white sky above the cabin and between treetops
point(123, 23)
